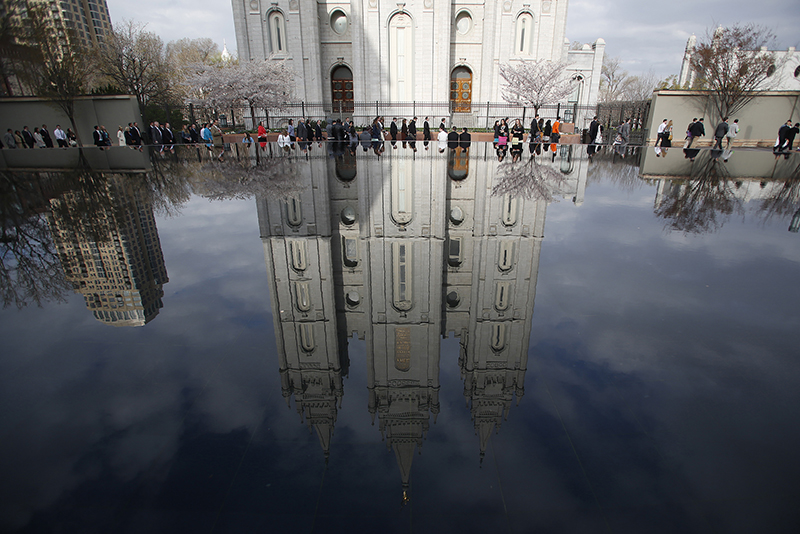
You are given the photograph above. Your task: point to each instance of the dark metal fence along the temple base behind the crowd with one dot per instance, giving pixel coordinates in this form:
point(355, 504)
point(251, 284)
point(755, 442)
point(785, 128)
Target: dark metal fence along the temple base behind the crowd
point(481, 115)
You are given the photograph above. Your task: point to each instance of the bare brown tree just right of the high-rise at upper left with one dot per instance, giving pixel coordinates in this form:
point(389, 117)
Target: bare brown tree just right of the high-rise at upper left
point(135, 61)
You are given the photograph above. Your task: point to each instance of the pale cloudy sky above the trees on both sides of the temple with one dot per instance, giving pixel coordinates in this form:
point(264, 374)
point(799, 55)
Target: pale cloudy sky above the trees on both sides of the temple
point(645, 36)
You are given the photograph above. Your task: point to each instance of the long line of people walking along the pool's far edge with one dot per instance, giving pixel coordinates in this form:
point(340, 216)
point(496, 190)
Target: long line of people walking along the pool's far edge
point(542, 135)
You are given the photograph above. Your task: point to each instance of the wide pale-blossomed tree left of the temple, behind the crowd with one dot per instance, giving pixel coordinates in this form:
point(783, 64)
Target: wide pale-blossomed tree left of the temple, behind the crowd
point(254, 84)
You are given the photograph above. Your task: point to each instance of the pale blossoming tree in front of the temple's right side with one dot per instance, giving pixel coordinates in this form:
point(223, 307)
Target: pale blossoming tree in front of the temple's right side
point(535, 83)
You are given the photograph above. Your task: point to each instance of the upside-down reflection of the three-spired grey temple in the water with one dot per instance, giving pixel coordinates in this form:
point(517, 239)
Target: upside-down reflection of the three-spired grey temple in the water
point(401, 251)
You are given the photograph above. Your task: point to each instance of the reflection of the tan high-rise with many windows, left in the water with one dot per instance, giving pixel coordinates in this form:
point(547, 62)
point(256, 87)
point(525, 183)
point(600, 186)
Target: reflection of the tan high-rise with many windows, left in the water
point(105, 232)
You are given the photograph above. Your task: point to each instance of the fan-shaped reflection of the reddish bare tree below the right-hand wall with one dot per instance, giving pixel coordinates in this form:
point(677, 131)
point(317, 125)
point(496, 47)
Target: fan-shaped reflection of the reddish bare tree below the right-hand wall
point(703, 203)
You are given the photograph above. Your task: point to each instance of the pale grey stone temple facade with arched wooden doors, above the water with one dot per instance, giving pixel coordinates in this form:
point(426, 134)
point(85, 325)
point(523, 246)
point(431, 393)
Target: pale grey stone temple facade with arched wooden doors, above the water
point(413, 51)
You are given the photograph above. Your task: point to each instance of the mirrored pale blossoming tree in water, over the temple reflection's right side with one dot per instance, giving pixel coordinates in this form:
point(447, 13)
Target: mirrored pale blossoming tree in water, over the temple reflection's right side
point(527, 179)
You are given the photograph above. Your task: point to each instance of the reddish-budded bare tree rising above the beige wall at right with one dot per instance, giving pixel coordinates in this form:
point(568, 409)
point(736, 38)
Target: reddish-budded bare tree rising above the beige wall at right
point(733, 64)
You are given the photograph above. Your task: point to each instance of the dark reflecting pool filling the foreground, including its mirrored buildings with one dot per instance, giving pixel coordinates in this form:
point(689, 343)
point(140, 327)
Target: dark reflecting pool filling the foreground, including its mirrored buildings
point(345, 339)
